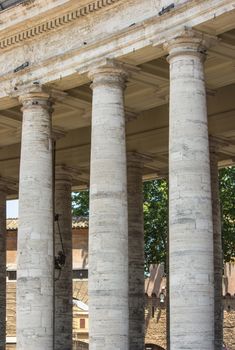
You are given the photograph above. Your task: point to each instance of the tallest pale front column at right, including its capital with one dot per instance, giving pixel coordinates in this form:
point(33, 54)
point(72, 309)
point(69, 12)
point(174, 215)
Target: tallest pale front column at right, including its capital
point(190, 207)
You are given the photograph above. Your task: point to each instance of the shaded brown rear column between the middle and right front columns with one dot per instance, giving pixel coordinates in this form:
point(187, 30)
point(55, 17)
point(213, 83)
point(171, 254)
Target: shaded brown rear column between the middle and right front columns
point(136, 251)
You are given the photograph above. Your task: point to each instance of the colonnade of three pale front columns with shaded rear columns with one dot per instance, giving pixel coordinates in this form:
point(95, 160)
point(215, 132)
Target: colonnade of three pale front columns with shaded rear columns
point(116, 258)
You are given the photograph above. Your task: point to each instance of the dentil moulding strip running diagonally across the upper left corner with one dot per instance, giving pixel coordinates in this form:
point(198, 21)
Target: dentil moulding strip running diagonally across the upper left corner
point(55, 23)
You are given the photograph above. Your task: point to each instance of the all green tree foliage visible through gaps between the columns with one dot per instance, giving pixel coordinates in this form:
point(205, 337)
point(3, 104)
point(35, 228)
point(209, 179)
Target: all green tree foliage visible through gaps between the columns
point(155, 207)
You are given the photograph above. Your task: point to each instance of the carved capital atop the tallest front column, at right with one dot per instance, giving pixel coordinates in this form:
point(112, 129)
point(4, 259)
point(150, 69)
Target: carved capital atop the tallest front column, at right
point(189, 42)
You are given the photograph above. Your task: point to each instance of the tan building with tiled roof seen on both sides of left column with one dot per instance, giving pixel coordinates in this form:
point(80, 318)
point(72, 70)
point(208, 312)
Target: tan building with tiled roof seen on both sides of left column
point(80, 276)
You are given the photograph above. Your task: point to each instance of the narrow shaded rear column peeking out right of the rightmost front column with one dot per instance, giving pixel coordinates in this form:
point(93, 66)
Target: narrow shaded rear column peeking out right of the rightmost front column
point(218, 260)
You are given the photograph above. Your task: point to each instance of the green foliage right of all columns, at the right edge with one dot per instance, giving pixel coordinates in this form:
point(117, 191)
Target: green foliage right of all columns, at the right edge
point(227, 198)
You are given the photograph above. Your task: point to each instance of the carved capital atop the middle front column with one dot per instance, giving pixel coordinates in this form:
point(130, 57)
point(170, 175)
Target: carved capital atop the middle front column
point(110, 72)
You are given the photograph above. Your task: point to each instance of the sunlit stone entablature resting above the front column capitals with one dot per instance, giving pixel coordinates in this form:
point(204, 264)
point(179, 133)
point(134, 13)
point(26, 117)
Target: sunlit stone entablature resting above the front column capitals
point(132, 32)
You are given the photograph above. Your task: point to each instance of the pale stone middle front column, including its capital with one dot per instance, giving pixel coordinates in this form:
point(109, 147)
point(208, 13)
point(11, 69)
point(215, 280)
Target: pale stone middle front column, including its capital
point(108, 231)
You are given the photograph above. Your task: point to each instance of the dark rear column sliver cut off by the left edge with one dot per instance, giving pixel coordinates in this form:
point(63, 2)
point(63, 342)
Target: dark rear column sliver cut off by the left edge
point(2, 266)
